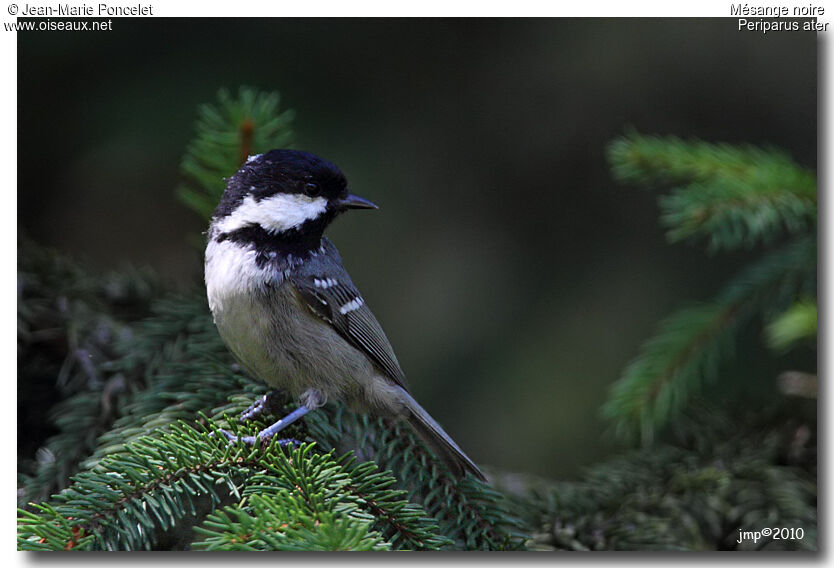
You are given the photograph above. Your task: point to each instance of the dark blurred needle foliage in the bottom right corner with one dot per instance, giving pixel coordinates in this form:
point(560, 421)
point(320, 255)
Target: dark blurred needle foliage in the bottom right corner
point(719, 477)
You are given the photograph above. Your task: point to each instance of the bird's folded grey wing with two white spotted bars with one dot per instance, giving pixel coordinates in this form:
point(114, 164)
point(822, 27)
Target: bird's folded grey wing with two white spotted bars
point(330, 294)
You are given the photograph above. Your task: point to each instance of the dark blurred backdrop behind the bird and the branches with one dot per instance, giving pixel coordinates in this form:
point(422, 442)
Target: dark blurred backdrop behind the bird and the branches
point(514, 277)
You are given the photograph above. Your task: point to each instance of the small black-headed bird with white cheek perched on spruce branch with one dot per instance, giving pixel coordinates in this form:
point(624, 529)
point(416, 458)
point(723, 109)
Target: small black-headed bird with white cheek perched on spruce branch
point(287, 309)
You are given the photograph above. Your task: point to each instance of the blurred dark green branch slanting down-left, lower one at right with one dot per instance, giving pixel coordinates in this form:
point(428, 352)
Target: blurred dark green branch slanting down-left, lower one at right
point(688, 349)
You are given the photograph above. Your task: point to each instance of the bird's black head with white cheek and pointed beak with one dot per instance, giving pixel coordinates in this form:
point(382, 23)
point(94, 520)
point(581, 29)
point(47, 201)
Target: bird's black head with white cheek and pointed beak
point(283, 199)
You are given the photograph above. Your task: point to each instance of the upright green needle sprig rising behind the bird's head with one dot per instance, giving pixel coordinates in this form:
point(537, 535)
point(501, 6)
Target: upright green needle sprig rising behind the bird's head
point(228, 133)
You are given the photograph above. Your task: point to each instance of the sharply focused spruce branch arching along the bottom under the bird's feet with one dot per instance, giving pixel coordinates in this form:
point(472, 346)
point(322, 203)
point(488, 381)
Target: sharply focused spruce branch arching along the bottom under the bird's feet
point(155, 483)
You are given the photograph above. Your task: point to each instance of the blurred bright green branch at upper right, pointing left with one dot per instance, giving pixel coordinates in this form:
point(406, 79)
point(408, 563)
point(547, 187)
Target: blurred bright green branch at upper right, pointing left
point(733, 195)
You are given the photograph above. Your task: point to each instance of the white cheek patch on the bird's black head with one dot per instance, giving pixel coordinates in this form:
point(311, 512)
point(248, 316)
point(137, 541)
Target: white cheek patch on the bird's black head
point(275, 214)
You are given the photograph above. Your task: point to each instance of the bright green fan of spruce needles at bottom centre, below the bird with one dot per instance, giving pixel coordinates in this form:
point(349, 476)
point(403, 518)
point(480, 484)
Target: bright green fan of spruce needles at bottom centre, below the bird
point(312, 504)
